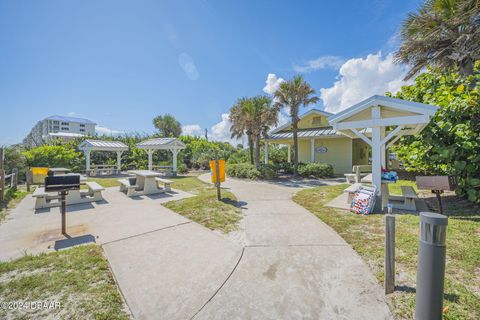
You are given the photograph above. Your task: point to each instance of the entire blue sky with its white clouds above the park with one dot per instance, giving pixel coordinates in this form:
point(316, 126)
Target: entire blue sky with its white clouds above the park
point(121, 63)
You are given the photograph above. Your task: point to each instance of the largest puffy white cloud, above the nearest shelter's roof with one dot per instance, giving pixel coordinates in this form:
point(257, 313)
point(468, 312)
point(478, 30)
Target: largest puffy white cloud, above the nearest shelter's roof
point(361, 78)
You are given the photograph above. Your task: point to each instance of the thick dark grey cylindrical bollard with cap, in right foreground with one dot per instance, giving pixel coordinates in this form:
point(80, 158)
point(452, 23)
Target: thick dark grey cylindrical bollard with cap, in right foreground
point(431, 266)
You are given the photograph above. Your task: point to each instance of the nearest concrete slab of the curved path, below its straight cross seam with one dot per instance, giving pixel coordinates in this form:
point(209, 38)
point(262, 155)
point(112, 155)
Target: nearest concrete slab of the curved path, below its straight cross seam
point(328, 282)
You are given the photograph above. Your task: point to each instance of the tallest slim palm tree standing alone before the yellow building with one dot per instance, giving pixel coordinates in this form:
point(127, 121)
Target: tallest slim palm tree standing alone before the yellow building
point(292, 94)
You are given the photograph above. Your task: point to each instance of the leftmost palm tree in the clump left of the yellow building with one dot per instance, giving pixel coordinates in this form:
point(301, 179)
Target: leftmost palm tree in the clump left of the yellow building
point(242, 124)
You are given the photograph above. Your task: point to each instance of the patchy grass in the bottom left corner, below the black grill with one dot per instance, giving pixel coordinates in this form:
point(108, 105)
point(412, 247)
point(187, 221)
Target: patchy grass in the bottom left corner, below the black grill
point(78, 278)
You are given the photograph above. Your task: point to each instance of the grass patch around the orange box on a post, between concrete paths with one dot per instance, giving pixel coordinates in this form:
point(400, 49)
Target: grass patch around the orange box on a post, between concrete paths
point(204, 208)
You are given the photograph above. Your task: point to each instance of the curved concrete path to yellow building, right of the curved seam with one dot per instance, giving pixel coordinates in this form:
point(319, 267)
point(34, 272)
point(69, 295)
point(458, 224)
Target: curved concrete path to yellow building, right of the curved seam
point(293, 265)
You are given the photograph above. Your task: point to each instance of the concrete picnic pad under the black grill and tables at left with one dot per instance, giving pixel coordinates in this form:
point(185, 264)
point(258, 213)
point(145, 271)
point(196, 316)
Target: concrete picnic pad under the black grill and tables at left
point(117, 217)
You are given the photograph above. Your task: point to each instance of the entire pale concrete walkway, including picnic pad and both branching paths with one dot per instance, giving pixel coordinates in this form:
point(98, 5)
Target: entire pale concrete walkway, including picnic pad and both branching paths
point(287, 265)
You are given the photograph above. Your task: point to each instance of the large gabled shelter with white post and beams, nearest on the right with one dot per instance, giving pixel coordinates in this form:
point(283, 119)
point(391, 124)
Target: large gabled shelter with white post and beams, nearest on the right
point(380, 121)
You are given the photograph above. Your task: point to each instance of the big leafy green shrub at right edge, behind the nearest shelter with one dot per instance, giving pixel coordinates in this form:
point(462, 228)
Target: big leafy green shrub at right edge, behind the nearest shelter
point(450, 144)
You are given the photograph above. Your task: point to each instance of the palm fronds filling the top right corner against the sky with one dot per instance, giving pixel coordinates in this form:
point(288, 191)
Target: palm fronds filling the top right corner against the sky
point(443, 33)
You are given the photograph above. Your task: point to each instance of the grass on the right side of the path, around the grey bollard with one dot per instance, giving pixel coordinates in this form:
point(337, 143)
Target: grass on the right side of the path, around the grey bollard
point(366, 235)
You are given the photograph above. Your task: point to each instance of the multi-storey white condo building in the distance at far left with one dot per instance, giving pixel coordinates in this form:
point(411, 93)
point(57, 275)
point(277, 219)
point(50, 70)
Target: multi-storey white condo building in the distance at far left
point(58, 127)
